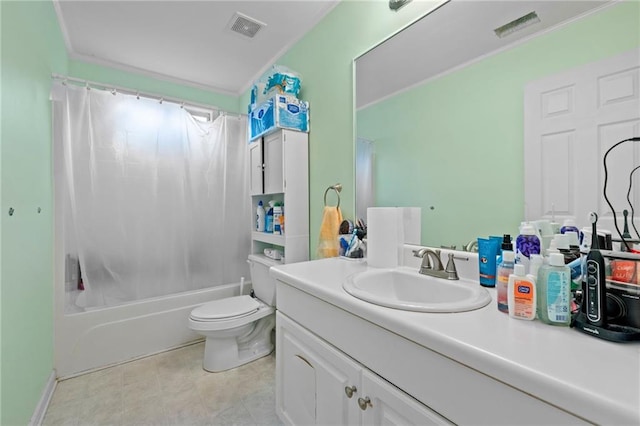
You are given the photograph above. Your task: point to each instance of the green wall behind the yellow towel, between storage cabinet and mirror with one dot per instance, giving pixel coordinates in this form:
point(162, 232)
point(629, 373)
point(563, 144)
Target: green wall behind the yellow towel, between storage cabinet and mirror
point(348, 31)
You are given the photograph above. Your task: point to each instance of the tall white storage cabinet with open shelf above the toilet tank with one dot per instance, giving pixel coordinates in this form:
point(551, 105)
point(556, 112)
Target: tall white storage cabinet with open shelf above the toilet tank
point(279, 171)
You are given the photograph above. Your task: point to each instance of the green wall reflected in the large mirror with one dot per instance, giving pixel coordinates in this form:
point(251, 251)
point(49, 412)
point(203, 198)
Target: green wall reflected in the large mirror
point(456, 143)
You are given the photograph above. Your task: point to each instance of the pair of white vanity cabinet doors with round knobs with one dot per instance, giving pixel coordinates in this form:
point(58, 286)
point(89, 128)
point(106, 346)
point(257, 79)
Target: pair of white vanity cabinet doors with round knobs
point(318, 384)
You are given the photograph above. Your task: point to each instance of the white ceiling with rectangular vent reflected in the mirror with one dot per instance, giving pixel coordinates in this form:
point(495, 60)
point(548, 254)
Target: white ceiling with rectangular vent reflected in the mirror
point(455, 34)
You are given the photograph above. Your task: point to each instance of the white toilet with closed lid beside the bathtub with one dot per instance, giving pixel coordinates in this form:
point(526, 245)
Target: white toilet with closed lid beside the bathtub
point(238, 329)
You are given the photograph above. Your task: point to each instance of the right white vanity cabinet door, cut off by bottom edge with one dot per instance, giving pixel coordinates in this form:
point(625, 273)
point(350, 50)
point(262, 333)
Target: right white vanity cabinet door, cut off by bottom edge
point(388, 405)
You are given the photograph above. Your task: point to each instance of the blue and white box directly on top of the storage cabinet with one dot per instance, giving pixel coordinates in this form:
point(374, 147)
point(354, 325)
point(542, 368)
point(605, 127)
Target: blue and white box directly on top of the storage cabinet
point(280, 111)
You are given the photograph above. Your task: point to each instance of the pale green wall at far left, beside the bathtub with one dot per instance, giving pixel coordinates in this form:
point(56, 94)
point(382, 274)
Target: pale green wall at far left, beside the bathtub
point(32, 48)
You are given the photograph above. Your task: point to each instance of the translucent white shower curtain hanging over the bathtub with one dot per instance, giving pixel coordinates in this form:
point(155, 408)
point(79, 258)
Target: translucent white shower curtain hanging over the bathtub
point(158, 200)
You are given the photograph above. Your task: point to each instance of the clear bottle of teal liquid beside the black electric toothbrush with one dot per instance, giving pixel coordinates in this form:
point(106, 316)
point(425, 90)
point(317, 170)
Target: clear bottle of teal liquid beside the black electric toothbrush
point(554, 291)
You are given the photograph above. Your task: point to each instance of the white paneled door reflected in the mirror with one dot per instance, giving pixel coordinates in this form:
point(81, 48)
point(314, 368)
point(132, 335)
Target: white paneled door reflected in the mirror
point(571, 120)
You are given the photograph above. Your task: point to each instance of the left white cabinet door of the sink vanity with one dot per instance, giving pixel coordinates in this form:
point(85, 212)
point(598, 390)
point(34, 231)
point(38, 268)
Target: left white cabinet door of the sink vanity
point(312, 379)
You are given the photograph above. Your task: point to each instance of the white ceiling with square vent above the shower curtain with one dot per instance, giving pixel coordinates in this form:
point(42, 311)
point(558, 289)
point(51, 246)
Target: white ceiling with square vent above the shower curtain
point(186, 41)
